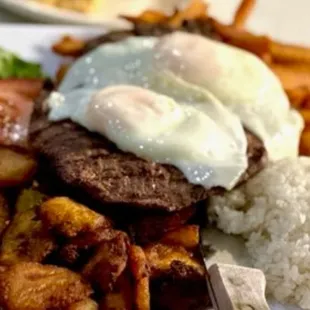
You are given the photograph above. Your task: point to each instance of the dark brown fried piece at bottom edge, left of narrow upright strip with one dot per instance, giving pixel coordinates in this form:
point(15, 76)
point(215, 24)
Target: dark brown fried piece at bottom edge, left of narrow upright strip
point(121, 297)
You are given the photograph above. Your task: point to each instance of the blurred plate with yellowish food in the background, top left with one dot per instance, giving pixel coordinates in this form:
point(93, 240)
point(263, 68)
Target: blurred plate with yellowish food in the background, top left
point(89, 12)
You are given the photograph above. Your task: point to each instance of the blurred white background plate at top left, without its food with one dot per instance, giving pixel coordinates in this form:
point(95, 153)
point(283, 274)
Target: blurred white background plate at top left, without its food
point(108, 17)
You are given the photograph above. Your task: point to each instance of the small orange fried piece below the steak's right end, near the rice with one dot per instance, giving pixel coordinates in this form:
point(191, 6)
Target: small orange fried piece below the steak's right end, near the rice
point(185, 236)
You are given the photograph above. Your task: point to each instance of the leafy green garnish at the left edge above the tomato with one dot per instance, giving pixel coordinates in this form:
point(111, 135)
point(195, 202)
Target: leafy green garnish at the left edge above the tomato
point(11, 66)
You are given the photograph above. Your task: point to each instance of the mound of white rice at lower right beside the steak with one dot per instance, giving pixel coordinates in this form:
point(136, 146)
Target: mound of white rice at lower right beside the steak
point(272, 212)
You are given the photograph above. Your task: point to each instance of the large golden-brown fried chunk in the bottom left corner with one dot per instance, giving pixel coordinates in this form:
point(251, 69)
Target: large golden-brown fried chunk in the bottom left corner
point(34, 286)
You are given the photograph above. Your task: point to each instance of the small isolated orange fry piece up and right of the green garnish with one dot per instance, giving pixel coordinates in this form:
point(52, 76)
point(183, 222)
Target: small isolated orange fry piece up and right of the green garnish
point(69, 46)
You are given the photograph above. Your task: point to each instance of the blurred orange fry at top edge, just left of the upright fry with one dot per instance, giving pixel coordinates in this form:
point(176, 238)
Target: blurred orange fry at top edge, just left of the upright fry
point(196, 9)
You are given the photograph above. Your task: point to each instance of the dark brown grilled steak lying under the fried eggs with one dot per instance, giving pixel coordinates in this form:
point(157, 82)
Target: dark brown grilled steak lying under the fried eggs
point(94, 166)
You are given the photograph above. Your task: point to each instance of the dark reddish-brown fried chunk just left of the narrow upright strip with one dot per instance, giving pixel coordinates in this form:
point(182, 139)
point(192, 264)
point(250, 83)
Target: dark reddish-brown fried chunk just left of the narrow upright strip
point(108, 263)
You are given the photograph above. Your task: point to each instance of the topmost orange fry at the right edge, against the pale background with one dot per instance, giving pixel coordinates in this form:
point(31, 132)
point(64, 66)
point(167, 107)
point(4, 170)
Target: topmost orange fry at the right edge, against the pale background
point(284, 53)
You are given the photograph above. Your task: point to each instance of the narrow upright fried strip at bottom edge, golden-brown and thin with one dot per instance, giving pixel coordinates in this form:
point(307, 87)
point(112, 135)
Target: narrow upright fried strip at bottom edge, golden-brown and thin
point(140, 271)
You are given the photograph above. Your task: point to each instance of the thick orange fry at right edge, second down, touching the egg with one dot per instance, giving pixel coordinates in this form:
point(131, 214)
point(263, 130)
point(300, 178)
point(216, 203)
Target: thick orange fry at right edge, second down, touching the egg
point(292, 76)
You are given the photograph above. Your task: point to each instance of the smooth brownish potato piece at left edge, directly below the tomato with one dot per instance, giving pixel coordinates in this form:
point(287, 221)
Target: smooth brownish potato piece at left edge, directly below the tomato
point(15, 168)
